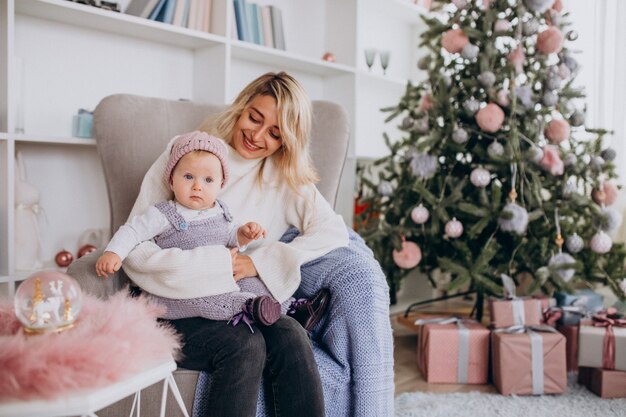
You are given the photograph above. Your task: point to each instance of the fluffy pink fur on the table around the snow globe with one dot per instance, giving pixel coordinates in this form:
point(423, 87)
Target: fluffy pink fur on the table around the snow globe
point(112, 339)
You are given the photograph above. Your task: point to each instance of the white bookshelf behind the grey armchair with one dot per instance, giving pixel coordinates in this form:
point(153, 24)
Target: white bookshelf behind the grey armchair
point(57, 56)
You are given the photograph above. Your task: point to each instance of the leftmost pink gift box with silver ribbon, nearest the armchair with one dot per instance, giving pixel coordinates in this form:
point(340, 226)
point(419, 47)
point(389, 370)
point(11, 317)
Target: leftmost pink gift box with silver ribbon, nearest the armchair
point(455, 352)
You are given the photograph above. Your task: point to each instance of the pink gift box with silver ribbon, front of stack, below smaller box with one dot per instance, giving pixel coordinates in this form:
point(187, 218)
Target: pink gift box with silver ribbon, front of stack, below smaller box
point(529, 363)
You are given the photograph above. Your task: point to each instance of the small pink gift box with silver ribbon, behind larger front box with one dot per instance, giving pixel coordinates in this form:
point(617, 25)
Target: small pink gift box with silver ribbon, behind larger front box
point(515, 312)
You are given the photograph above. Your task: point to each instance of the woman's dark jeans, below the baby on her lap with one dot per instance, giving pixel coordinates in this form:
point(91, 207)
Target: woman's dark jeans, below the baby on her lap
point(237, 359)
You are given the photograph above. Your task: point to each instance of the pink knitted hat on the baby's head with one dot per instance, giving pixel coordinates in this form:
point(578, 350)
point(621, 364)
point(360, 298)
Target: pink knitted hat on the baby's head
point(197, 141)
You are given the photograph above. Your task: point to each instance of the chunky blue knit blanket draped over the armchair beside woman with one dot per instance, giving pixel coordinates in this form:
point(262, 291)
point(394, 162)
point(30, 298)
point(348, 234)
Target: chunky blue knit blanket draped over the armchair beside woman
point(353, 345)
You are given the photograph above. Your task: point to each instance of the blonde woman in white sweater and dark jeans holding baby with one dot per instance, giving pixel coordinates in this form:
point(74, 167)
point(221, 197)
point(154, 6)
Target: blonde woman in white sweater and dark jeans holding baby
point(272, 183)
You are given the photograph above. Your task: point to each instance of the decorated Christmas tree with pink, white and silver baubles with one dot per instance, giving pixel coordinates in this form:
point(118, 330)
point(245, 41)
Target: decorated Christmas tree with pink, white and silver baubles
point(495, 172)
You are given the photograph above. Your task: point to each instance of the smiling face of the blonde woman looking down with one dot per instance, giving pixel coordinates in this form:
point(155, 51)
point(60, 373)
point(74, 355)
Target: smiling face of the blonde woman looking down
point(256, 132)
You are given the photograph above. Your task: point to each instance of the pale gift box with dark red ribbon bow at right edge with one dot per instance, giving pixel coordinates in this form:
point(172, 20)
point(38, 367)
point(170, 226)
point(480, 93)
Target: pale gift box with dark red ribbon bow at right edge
point(602, 342)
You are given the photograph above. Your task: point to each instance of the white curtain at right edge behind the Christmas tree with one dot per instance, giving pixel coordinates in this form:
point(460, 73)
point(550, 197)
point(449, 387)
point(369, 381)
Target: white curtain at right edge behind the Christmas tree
point(602, 46)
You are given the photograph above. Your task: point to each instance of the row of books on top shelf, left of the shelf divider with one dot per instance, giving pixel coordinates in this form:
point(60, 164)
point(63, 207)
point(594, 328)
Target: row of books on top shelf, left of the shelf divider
point(201, 15)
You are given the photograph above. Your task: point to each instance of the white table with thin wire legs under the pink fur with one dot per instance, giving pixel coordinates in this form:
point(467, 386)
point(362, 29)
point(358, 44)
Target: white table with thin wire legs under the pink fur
point(87, 402)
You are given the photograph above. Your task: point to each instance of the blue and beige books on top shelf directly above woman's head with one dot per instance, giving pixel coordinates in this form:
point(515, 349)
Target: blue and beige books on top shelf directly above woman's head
point(262, 25)
